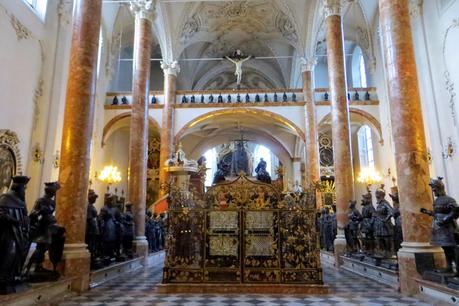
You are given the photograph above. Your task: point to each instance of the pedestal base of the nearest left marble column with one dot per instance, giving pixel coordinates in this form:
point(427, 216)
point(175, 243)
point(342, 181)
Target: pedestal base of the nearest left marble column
point(76, 262)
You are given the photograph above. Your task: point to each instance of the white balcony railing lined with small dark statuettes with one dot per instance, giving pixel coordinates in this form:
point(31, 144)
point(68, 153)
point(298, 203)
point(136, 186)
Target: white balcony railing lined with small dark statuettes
point(221, 98)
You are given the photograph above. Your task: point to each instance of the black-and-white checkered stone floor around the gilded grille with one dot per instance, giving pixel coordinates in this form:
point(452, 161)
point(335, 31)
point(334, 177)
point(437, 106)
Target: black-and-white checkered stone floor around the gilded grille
point(137, 289)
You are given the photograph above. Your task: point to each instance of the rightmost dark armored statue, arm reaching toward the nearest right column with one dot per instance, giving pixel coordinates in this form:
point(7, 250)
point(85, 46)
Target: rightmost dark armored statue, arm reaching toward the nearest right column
point(445, 212)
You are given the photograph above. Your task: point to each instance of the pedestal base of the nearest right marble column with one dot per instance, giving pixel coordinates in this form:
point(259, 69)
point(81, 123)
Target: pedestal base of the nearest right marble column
point(407, 264)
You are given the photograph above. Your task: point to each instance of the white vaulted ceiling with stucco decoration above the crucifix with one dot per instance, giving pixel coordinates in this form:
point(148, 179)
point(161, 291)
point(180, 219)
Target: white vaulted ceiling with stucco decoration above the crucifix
point(277, 33)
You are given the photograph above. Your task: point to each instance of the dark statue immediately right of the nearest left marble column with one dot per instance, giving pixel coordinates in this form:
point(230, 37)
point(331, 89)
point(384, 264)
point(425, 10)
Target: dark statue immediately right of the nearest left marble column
point(92, 226)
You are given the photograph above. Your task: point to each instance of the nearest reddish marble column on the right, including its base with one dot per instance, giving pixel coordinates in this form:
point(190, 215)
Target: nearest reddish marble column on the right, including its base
point(409, 138)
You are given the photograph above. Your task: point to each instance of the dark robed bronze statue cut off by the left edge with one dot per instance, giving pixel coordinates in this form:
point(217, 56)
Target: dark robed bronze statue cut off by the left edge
point(14, 234)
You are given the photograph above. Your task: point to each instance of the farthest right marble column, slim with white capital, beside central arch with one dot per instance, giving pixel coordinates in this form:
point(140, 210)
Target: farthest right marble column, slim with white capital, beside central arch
point(310, 128)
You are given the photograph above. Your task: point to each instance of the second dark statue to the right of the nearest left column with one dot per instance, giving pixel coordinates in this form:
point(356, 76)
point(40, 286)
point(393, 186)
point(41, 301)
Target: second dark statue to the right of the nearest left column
point(108, 229)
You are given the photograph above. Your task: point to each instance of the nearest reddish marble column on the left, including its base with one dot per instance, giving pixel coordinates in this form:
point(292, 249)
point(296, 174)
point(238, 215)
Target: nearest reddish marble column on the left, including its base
point(76, 140)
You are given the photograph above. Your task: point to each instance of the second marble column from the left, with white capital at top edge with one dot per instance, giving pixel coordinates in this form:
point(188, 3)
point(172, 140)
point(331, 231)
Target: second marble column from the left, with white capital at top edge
point(138, 147)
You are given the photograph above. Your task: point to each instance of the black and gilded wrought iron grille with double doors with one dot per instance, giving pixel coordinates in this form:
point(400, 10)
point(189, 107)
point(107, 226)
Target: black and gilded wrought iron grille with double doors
point(242, 232)
